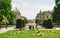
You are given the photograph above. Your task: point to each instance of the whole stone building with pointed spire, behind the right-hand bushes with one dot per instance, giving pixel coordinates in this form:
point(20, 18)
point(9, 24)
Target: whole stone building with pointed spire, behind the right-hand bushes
point(41, 16)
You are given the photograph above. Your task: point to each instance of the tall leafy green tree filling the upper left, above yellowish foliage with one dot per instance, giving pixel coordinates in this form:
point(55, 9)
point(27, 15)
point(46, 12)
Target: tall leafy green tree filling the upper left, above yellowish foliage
point(5, 10)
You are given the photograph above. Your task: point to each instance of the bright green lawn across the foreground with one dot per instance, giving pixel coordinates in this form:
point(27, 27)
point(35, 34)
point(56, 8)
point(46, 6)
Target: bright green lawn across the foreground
point(31, 34)
